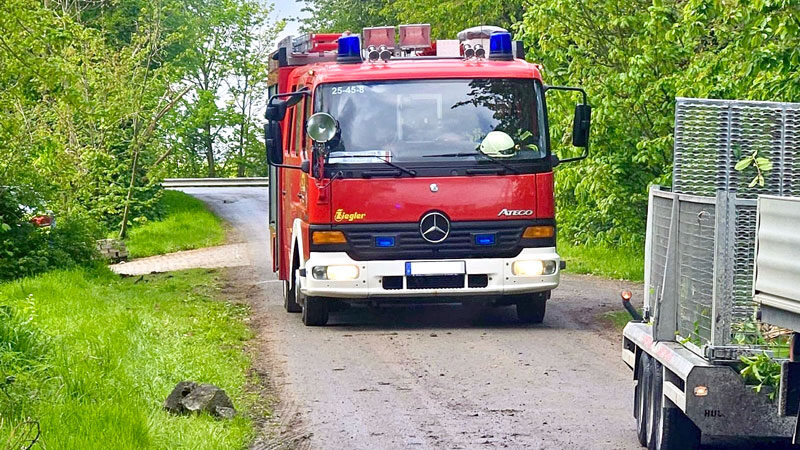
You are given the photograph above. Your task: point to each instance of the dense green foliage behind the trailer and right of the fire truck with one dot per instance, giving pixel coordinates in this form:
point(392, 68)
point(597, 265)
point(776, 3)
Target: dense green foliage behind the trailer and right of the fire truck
point(633, 58)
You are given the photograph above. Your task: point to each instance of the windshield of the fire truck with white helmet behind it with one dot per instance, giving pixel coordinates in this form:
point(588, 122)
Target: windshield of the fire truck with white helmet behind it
point(432, 120)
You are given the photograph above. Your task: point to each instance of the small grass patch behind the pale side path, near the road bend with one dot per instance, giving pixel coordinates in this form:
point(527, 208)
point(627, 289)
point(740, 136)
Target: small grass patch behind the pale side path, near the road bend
point(187, 224)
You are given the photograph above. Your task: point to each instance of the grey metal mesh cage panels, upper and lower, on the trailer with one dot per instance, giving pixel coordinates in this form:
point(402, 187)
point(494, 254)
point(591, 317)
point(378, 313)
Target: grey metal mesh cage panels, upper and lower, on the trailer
point(701, 235)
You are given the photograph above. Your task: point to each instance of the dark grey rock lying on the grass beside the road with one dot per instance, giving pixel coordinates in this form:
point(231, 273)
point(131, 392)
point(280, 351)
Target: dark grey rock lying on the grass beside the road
point(190, 397)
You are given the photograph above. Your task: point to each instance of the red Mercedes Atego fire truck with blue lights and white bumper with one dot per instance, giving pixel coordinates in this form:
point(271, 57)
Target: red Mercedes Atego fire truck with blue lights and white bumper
point(403, 169)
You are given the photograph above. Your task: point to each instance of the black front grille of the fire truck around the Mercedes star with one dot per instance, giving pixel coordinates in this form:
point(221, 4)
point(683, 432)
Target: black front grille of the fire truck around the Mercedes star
point(460, 243)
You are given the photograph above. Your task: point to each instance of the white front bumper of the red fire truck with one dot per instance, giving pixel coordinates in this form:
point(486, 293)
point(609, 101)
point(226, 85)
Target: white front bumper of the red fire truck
point(369, 282)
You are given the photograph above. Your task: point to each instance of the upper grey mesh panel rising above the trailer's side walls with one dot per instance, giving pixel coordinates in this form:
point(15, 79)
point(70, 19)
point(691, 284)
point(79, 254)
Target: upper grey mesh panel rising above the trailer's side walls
point(712, 135)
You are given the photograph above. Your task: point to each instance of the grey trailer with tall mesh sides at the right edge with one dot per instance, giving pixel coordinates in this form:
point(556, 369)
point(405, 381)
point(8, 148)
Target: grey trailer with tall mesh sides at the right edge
point(721, 262)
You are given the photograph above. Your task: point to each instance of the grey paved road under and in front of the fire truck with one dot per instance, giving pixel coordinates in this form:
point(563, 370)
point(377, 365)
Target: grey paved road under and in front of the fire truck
point(436, 376)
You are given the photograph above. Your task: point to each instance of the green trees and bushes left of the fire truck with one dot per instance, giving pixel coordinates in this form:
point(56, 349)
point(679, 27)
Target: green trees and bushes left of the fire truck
point(96, 96)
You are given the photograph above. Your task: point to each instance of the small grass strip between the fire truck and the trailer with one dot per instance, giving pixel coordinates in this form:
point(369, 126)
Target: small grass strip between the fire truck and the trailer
point(624, 263)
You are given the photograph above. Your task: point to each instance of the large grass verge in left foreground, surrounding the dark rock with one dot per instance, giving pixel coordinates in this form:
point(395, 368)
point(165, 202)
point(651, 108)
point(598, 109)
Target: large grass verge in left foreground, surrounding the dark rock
point(94, 356)
